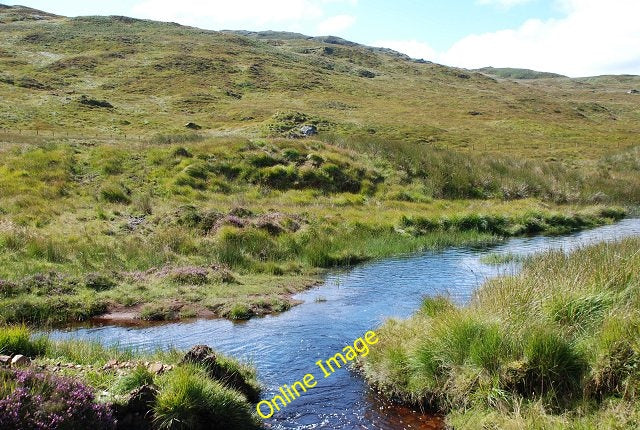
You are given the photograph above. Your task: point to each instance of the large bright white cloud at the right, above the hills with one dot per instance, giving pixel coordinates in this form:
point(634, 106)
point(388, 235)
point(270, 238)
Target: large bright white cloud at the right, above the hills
point(595, 37)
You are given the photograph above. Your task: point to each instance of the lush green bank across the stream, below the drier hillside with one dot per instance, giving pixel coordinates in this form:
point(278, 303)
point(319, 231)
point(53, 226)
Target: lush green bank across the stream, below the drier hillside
point(233, 227)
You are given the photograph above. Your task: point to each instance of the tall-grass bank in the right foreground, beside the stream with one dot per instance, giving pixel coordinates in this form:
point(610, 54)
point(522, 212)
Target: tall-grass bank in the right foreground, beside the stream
point(553, 347)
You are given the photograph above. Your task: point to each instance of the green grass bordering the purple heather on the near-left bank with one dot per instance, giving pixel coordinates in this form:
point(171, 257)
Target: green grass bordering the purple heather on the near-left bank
point(189, 396)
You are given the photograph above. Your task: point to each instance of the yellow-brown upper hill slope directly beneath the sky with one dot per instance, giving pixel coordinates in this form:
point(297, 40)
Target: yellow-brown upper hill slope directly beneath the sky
point(159, 76)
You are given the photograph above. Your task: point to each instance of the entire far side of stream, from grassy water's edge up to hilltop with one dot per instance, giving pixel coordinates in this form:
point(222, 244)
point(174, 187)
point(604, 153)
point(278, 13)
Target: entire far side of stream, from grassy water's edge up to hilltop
point(154, 171)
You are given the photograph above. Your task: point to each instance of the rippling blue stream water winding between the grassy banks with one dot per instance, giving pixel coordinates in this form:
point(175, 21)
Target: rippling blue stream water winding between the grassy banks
point(285, 347)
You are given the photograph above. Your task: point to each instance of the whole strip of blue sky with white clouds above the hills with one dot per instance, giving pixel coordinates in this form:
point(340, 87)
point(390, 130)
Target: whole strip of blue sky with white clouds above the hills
point(572, 37)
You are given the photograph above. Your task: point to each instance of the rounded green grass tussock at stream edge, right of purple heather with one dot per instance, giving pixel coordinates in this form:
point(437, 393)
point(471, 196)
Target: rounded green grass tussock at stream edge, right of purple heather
point(189, 399)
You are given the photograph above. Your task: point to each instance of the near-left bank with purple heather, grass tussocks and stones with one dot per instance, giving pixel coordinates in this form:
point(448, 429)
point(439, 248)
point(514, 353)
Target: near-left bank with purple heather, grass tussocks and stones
point(84, 385)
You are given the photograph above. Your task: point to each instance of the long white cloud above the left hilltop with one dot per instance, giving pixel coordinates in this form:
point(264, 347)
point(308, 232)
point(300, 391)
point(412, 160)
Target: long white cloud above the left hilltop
point(292, 15)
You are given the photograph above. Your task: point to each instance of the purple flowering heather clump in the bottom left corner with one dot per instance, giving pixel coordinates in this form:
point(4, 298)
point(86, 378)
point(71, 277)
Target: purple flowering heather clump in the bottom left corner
point(38, 401)
